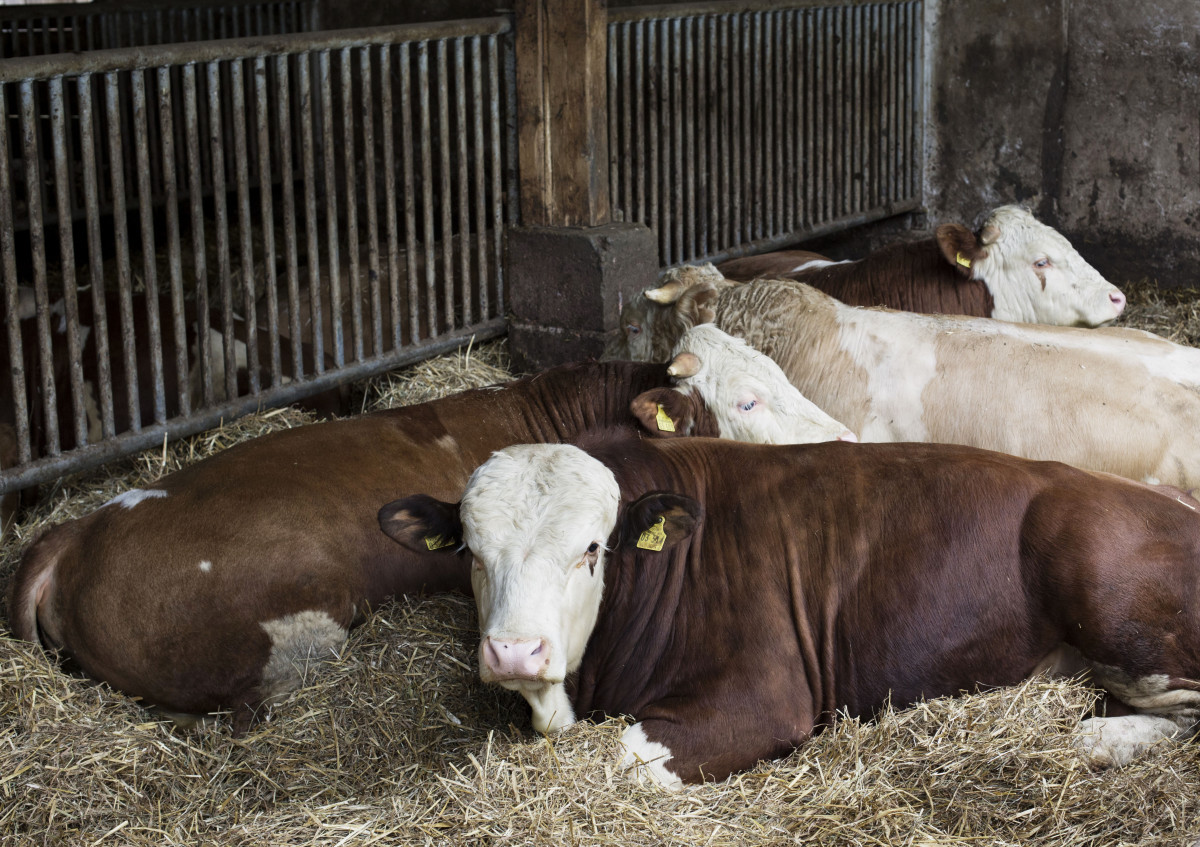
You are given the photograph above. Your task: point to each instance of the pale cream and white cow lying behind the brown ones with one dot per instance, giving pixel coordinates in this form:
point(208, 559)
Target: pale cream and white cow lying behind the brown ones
point(1115, 400)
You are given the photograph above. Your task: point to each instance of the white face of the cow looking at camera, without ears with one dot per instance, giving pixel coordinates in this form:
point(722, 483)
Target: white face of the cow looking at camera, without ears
point(531, 515)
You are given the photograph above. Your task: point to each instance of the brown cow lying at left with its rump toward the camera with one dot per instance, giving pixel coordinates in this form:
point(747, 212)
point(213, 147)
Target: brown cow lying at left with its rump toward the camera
point(213, 587)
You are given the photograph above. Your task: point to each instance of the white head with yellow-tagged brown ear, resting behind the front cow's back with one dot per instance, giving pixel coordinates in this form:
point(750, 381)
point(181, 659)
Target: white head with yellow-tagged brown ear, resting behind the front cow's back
point(745, 392)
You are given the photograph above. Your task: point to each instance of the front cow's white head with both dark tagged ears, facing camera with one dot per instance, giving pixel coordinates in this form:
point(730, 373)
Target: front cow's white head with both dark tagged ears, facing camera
point(539, 521)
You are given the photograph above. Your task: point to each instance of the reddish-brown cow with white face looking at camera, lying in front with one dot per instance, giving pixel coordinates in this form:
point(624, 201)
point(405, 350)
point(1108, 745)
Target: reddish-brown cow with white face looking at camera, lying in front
point(734, 599)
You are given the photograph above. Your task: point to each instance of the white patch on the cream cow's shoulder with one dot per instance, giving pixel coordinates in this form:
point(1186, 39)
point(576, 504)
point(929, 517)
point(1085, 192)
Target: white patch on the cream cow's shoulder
point(901, 364)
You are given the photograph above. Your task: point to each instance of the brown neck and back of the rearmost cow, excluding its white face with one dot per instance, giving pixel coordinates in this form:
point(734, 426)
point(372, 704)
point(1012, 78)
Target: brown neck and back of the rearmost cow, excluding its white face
point(913, 278)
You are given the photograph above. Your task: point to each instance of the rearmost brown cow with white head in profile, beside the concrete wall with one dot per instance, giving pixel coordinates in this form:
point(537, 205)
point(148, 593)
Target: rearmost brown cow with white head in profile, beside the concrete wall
point(1017, 269)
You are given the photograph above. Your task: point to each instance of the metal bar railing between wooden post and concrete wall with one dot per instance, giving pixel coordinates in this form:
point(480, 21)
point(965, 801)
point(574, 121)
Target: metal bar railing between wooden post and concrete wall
point(735, 131)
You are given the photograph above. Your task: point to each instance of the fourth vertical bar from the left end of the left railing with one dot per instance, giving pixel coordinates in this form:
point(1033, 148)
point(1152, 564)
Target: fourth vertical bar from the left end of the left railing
point(95, 255)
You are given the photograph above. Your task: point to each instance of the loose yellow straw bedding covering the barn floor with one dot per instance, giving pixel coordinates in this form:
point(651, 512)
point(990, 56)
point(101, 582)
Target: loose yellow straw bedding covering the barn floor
point(397, 742)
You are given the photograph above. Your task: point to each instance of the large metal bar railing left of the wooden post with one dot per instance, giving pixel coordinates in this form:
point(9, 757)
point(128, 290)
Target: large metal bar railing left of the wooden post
point(332, 207)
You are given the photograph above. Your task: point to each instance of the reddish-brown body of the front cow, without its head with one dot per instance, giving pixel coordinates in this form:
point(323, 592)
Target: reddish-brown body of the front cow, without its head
point(839, 576)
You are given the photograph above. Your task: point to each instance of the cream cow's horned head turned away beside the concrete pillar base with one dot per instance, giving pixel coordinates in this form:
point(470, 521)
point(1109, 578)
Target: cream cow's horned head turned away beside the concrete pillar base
point(656, 319)
